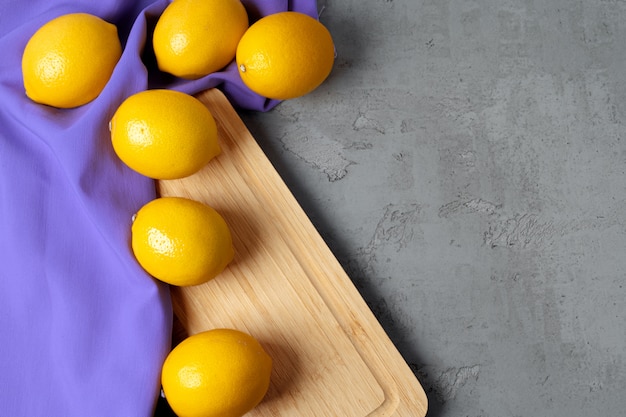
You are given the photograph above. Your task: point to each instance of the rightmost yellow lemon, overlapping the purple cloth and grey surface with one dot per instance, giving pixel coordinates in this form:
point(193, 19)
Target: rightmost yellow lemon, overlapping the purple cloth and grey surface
point(285, 55)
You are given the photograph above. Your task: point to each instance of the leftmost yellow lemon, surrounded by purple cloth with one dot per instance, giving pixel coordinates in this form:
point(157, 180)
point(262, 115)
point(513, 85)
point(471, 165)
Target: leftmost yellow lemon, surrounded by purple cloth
point(68, 61)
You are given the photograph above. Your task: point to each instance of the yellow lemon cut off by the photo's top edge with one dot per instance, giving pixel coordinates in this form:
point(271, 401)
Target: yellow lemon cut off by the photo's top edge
point(193, 38)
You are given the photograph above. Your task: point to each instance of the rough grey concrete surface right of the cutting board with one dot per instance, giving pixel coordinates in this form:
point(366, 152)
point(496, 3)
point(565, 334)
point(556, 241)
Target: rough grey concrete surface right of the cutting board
point(466, 163)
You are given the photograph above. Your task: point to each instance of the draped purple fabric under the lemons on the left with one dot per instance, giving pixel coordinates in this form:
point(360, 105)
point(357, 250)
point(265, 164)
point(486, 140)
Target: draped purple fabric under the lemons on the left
point(83, 329)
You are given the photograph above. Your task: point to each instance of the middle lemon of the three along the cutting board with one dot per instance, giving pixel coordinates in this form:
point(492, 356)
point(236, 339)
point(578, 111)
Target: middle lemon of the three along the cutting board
point(181, 241)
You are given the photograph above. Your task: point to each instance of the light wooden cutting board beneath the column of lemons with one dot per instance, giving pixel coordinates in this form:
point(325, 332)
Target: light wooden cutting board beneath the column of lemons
point(285, 287)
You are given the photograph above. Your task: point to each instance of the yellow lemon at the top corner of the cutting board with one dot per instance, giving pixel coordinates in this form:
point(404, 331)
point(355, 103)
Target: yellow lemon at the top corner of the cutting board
point(164, 134)
